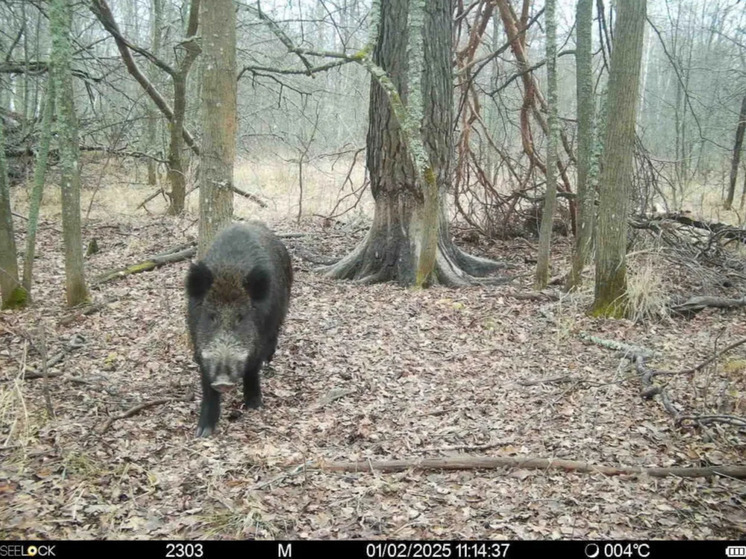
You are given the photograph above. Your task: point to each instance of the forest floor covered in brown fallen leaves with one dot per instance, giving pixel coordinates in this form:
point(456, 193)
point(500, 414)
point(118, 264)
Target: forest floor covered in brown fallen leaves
point(361, 373)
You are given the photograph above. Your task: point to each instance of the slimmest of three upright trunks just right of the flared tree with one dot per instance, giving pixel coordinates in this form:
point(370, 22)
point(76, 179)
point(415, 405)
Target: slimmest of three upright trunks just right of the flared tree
point(550, 199)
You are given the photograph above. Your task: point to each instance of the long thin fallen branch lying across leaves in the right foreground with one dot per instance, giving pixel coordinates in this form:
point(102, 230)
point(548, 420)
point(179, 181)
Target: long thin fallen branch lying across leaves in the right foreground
point(474, 462)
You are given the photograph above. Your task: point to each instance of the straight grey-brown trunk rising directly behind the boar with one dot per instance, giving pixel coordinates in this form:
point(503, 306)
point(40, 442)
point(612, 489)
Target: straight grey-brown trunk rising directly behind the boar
point(218, 119)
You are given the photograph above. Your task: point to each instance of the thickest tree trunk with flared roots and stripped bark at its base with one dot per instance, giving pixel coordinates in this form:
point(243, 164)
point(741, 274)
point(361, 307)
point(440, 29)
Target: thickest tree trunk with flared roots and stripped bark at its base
point(407, 210)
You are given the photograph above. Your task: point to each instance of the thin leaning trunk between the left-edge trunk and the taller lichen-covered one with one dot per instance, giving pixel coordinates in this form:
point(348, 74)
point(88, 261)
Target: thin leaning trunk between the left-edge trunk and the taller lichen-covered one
point(38, 190)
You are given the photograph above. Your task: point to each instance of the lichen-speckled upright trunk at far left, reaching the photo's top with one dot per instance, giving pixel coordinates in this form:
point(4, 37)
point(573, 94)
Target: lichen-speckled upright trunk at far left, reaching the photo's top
point(67, 131)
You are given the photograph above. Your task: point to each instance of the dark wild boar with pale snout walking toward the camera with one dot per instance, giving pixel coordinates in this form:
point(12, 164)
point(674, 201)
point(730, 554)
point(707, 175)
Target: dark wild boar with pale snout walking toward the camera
point(238, 299)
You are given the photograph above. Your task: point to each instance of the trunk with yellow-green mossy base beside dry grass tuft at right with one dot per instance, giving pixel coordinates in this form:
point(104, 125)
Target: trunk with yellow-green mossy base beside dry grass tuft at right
point(616, 175)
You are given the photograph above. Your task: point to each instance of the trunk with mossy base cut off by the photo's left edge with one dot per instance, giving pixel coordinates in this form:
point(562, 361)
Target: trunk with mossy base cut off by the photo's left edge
point(13, 295)
